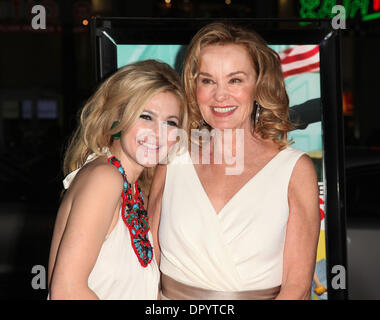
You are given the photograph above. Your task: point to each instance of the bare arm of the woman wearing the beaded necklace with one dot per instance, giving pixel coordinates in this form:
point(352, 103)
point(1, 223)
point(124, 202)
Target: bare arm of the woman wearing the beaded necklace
point(95, 201)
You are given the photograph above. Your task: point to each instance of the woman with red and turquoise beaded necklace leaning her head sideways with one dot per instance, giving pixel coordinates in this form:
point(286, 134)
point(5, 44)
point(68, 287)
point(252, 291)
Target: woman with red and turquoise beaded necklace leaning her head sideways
point(102, 245)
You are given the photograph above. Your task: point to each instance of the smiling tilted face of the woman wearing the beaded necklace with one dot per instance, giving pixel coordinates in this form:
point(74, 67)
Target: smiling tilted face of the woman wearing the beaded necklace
point(147, 142)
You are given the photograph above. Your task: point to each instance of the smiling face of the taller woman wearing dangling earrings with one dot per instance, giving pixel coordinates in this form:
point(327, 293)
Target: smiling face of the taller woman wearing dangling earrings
point(225, 86)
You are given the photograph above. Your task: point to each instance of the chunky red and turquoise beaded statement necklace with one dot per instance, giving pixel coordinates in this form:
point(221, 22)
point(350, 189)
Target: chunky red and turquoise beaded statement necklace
point(135, 217)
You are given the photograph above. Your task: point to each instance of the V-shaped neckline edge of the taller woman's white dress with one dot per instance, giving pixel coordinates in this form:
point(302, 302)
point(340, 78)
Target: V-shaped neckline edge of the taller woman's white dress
point(235, 195)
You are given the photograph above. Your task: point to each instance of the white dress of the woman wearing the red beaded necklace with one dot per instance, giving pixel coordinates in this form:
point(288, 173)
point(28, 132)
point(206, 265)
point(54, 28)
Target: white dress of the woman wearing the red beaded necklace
point(117, 273)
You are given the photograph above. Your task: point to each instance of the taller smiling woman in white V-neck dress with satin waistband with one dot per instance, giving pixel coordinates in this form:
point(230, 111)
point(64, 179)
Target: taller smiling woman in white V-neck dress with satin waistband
point(252, 233)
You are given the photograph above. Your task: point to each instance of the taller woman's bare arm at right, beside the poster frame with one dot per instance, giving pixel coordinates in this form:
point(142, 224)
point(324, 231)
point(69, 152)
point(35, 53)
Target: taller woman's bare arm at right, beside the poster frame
point(302, 232)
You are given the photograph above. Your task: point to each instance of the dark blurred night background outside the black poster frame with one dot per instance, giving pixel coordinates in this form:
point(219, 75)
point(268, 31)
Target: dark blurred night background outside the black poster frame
point(46, 76)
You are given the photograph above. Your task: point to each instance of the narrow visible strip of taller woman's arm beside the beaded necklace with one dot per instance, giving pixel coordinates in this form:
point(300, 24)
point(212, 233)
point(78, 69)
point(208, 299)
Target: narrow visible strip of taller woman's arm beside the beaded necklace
point(154, 207)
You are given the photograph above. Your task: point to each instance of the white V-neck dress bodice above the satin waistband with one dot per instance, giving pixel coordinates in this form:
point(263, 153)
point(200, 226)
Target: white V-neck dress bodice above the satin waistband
point(241, 247)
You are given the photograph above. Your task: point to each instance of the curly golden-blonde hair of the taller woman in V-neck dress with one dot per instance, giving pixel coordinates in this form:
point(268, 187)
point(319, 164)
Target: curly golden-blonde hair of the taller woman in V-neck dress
point(270, 93)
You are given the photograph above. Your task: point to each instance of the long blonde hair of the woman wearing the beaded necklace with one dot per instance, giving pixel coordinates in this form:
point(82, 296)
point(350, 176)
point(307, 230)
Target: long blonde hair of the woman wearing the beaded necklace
point(121, 97)
